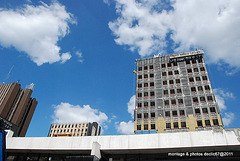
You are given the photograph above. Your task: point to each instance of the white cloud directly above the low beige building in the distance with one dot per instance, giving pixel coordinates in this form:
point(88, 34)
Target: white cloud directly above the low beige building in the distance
point(67, 113)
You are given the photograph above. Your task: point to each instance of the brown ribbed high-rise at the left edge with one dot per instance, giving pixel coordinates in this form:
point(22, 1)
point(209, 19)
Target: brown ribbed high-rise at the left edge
point(16, 107)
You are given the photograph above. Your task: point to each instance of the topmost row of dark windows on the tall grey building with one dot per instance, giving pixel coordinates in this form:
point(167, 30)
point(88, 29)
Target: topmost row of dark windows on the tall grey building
point(169, 65)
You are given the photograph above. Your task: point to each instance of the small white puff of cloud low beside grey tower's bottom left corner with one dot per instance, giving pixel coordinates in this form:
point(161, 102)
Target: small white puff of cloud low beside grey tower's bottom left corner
point(125, 127)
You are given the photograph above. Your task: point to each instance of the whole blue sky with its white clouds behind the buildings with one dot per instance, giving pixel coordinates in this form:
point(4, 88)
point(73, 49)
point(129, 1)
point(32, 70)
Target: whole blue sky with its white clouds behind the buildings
point(80, 54)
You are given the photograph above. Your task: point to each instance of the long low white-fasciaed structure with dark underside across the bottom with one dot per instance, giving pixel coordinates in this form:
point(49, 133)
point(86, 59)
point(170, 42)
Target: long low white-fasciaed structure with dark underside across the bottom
point(211, 145)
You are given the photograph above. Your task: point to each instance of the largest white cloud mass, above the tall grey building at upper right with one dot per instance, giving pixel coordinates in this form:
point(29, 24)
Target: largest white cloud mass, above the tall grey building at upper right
point(212, 25)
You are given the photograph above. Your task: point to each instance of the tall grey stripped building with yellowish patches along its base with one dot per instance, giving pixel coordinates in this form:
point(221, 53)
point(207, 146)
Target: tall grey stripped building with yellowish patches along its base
point(174, 93)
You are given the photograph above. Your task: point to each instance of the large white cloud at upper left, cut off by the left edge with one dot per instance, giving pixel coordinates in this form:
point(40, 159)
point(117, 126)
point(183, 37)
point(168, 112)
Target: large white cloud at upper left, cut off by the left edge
point(36, 30)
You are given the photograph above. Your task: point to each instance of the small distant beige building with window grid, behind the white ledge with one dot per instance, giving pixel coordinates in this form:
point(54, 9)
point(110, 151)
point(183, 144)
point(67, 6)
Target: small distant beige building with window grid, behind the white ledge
point(79, 129)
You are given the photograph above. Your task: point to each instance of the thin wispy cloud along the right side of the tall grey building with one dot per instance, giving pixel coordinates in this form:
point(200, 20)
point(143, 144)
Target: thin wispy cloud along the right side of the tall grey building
point(221, 96)
